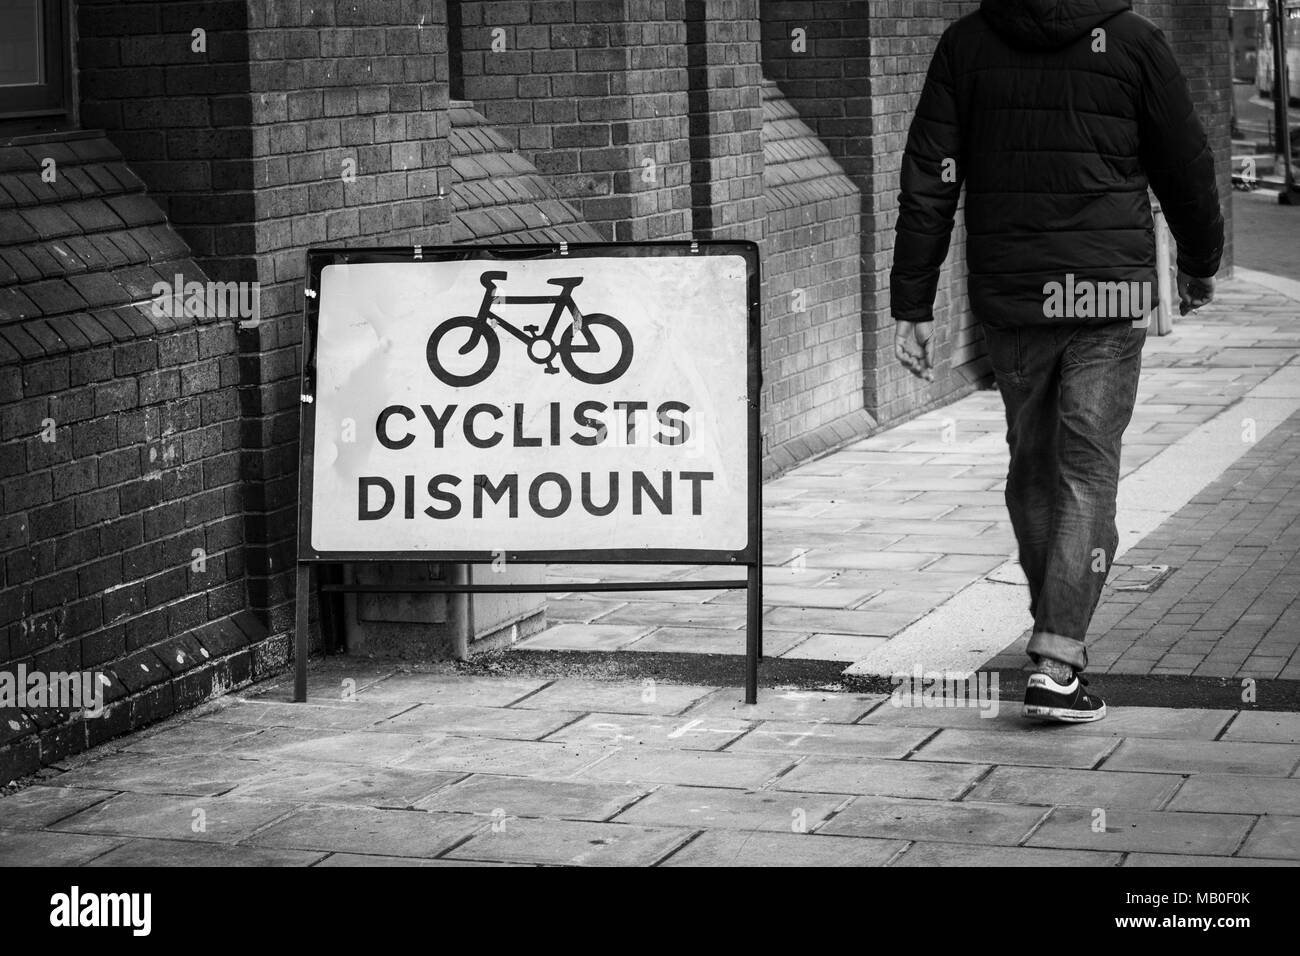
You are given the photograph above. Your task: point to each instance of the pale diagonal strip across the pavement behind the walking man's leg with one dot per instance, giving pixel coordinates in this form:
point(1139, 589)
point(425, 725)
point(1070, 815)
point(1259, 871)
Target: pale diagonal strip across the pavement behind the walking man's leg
point(977, 624)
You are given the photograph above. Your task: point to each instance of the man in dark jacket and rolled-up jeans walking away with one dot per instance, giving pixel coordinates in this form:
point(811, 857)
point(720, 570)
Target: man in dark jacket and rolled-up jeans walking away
point(1056, 115)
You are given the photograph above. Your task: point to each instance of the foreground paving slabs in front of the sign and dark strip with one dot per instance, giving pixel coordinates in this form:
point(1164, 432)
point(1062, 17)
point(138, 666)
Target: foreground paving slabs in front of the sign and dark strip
point(387, 768)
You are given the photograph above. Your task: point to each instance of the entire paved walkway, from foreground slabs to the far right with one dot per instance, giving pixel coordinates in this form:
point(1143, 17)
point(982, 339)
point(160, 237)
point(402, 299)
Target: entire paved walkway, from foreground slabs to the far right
point(886, 560)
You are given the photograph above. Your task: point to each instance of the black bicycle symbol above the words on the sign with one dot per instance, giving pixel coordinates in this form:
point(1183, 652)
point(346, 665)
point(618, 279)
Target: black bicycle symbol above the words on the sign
point(541, 344)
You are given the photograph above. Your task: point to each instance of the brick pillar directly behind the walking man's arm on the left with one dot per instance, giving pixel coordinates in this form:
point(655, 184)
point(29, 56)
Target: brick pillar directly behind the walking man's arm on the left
point(855, 75)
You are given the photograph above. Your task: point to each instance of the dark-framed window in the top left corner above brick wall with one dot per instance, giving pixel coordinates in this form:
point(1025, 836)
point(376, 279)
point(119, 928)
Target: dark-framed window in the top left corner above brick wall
point(34, 59)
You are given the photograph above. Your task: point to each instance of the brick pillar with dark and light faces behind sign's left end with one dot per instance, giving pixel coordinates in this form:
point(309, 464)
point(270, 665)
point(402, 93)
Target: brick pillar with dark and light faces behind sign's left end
point(294, 126)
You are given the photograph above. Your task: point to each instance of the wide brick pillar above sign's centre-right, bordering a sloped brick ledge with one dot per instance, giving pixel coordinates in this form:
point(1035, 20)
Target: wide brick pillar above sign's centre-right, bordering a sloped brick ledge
point(595, 94)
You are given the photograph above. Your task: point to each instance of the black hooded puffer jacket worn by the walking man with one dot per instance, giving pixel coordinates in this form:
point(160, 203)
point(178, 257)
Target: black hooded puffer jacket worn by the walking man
point(1055, 115)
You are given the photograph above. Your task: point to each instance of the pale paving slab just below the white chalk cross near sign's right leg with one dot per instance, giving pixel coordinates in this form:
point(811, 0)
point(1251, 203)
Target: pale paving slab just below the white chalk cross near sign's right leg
point(688, 768)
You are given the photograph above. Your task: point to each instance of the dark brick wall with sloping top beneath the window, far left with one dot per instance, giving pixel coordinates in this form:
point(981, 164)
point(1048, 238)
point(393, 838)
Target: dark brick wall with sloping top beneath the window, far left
point(122, 533)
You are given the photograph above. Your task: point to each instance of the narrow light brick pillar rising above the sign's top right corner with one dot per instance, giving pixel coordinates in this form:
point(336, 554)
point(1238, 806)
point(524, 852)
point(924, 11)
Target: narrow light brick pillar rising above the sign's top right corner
point(725, 73)
